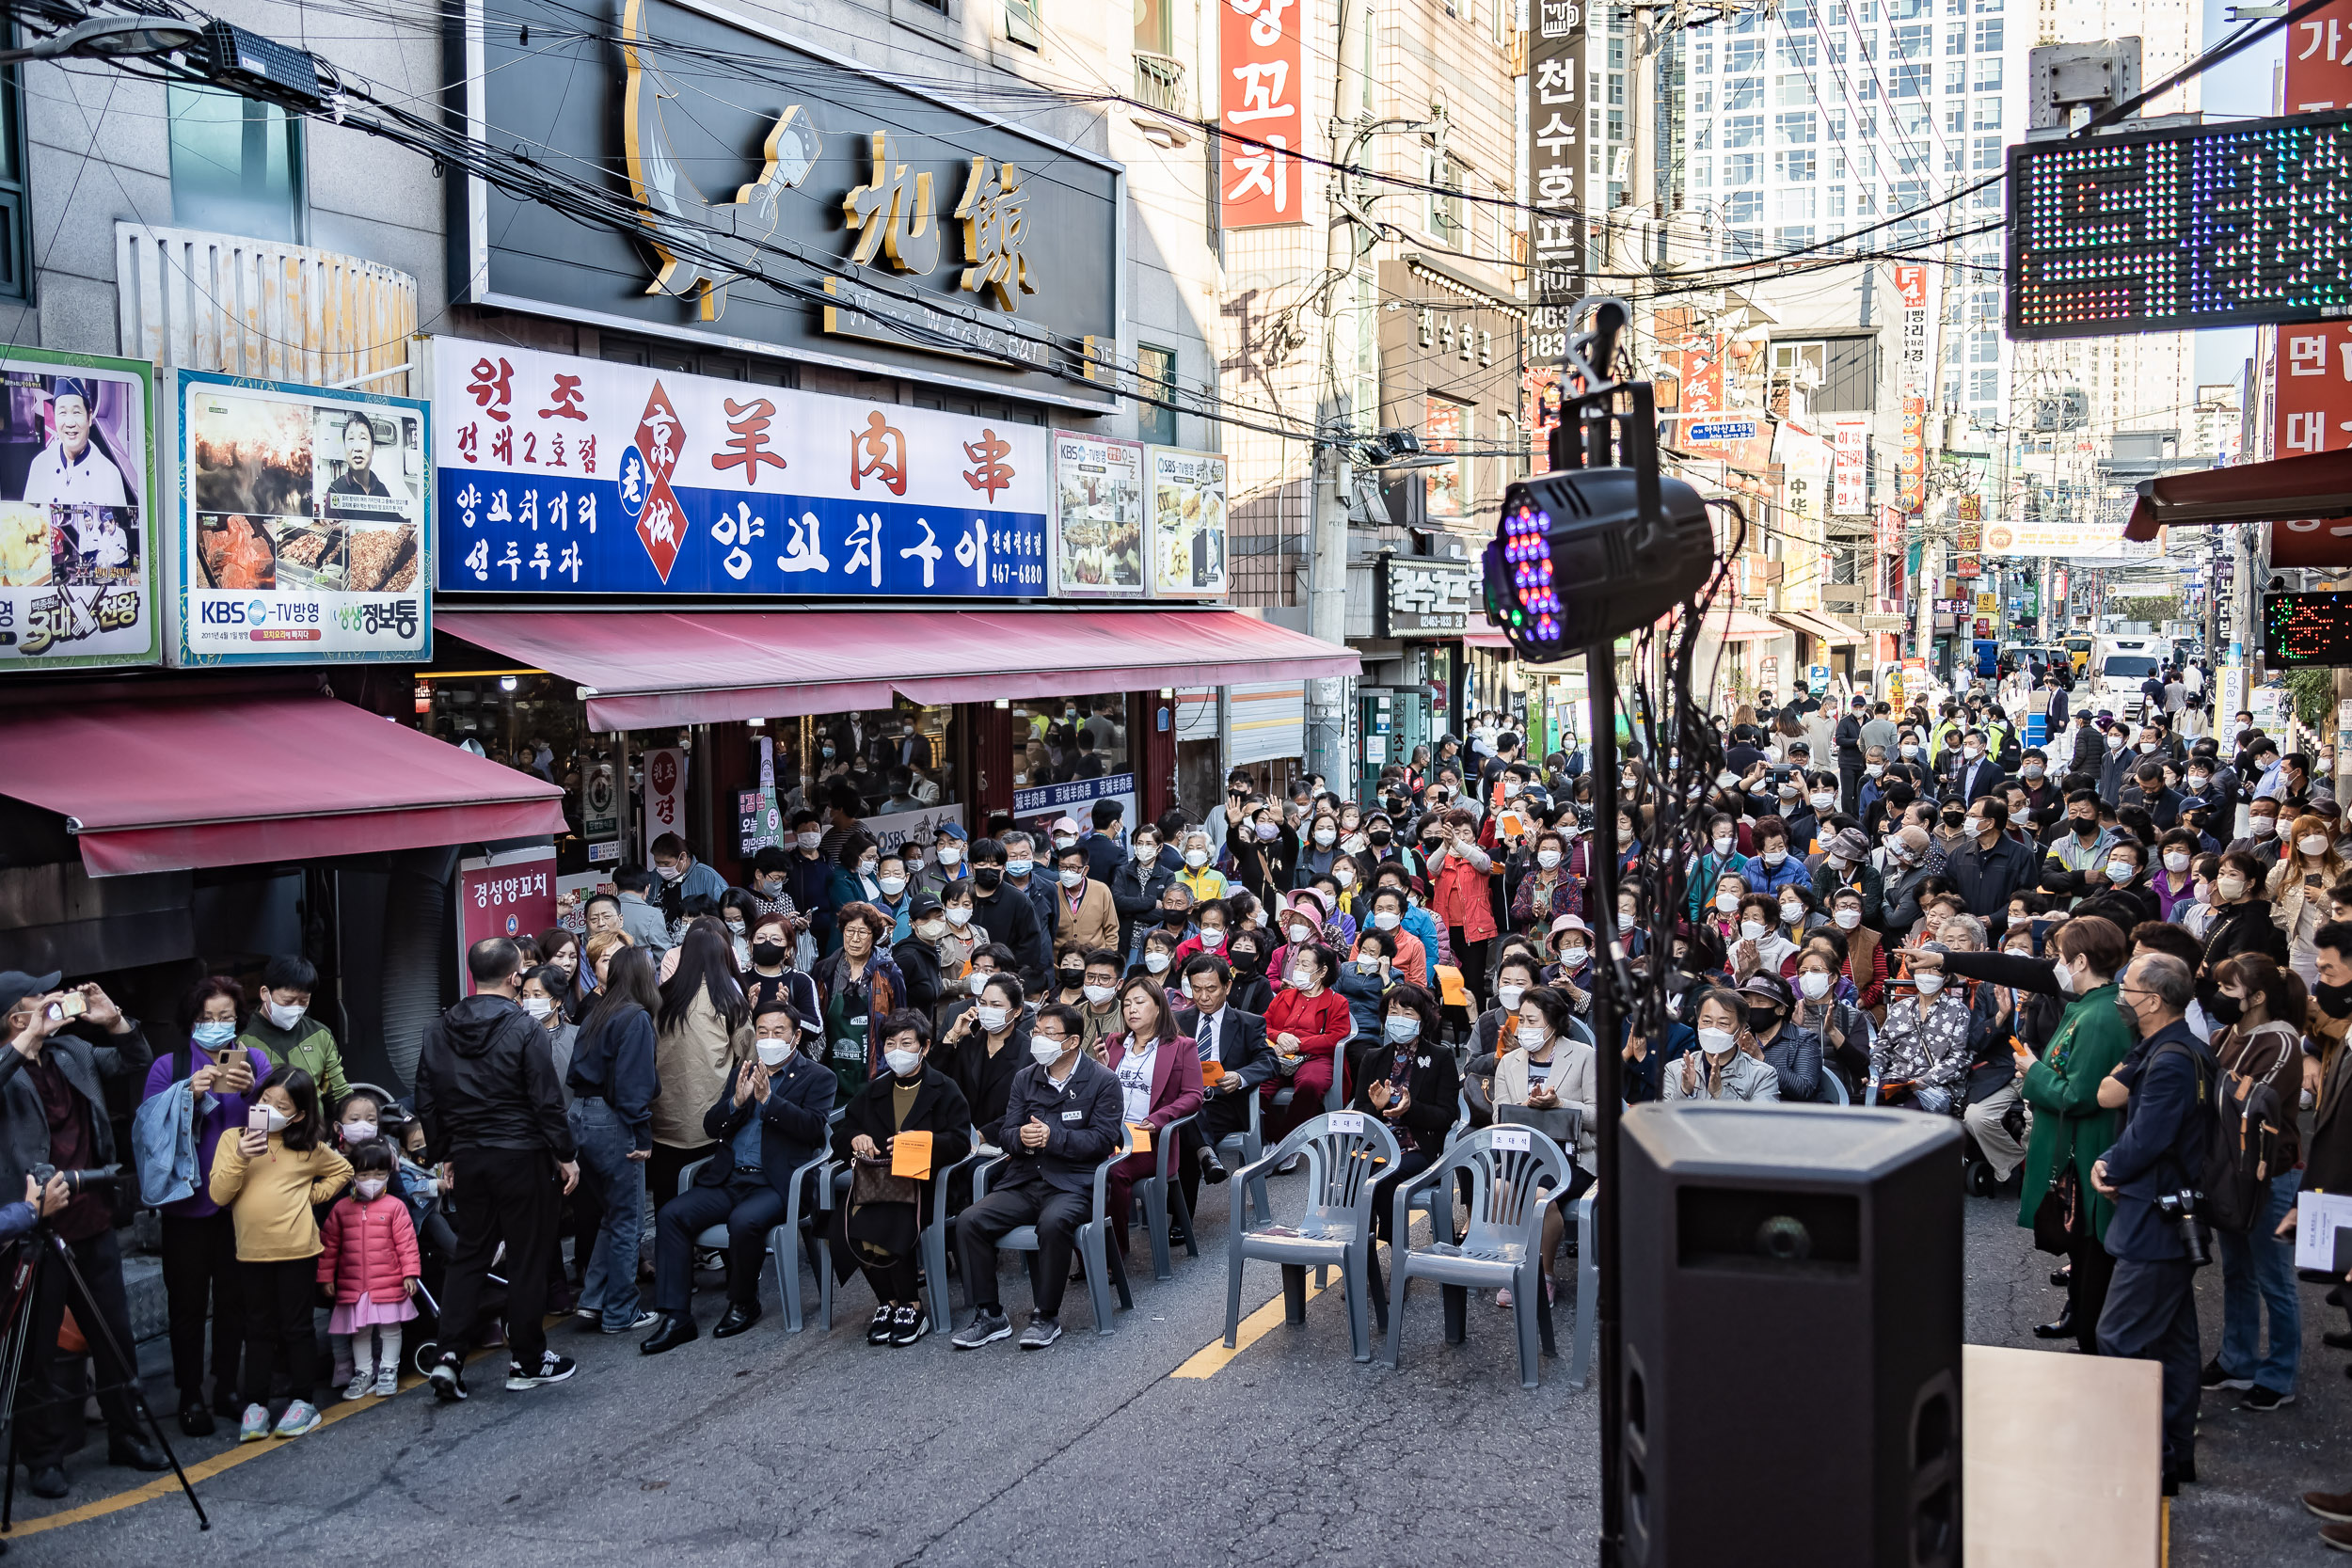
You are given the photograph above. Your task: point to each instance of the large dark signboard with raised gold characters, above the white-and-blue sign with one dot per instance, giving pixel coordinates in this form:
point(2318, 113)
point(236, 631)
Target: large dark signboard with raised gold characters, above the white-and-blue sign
point(923, 239)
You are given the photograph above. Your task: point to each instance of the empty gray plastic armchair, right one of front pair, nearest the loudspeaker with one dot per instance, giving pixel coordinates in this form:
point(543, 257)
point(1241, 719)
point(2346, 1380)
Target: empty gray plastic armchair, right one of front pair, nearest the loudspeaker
point(1504, 1245)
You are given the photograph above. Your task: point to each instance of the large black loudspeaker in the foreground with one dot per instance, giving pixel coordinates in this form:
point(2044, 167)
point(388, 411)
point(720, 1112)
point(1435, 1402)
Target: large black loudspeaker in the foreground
point(1791, 1306)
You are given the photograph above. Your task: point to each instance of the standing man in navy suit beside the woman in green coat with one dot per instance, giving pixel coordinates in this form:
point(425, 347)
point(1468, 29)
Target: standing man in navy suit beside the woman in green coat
point(2151, 1311)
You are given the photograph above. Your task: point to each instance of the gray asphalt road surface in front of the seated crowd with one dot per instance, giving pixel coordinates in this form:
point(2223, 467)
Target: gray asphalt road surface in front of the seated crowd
point(817, 1447)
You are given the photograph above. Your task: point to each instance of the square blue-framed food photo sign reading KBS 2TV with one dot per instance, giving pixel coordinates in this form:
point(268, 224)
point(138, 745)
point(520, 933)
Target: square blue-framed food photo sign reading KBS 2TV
point(305, 525)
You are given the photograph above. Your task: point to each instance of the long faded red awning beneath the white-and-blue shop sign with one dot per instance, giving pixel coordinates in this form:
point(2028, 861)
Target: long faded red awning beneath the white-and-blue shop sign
point(653, 669)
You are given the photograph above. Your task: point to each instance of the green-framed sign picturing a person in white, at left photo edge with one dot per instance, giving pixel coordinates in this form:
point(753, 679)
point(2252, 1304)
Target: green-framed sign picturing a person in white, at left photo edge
point(76, 509)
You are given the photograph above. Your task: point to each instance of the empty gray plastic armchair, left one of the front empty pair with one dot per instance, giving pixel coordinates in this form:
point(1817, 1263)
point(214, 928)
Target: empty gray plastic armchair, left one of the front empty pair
point(1347, 1155)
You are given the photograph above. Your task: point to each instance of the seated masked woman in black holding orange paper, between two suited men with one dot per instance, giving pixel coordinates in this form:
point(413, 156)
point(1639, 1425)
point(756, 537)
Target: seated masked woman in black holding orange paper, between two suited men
point(878, 1224)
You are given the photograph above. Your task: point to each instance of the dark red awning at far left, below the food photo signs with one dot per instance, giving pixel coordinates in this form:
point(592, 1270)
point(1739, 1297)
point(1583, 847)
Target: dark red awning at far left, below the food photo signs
point(168, 786)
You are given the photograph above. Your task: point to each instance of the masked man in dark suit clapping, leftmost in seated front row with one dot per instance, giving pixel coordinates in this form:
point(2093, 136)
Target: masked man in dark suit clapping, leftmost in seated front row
point(766, 1125)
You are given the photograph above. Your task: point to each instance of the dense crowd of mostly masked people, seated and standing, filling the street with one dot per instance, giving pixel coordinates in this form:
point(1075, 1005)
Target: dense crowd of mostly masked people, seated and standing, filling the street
point(2094, 953)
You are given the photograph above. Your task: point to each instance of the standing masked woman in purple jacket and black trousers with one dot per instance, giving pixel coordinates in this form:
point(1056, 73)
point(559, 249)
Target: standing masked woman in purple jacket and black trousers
point(199, 1235)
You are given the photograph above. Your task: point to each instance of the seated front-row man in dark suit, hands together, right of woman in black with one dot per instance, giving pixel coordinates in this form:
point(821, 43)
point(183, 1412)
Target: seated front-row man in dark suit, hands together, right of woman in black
point(1060, 1123)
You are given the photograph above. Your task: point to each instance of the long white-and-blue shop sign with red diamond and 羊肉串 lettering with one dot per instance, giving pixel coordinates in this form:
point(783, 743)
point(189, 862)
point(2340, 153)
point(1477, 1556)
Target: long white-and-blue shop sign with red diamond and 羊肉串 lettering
point(577, 476)
